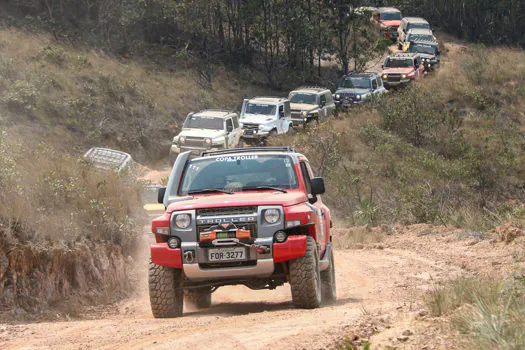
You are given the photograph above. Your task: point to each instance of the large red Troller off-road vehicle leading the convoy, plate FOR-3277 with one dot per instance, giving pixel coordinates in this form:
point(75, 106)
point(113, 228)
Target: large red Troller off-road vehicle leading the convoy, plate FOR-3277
point(251, 216)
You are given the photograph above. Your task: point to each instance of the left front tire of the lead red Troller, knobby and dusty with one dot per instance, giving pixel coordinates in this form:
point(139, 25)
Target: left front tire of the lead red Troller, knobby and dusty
point(165, 294)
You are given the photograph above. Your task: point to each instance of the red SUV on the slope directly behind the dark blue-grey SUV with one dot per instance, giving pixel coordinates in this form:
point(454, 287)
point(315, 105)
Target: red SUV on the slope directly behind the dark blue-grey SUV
point(401, 69)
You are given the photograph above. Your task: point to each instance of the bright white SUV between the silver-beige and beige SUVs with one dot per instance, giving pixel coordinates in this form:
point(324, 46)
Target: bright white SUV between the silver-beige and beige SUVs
point(265, 116)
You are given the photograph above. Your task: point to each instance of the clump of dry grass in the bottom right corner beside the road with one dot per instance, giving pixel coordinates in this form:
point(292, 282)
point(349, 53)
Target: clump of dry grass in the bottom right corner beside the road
point(488, 312)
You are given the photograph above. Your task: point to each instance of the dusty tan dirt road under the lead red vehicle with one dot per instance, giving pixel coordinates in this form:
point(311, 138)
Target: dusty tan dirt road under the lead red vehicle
point(379, 292)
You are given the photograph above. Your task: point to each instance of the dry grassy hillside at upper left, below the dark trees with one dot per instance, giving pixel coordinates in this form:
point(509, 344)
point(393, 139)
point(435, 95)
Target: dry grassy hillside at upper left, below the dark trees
point(134, 104)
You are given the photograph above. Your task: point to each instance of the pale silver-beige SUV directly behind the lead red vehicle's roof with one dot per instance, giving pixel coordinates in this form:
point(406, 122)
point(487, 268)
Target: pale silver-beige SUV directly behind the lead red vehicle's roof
point(205, 131)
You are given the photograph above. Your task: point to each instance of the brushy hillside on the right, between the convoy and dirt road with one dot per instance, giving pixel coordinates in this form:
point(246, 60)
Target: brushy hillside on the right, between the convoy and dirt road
point(448, 150)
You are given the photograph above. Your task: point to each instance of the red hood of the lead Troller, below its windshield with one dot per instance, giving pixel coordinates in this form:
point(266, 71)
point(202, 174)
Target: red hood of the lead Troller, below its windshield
point(266, 197)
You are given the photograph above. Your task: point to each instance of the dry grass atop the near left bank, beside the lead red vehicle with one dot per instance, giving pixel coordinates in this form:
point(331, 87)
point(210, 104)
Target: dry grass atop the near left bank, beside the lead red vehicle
point(50, 197)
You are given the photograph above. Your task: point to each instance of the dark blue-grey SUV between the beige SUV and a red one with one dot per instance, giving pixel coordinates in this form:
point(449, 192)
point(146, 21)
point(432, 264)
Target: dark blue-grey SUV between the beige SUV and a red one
point(358, 88)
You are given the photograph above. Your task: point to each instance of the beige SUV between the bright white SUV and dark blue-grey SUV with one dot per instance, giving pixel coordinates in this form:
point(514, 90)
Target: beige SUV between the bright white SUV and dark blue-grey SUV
point(310, 104)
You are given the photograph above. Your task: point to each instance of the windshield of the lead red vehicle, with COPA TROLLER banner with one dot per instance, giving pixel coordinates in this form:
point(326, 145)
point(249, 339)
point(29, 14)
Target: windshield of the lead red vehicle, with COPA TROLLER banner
point(238, 173)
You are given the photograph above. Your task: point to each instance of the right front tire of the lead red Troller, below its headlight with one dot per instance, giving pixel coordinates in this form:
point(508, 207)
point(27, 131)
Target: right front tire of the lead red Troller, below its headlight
point(305, 278)
